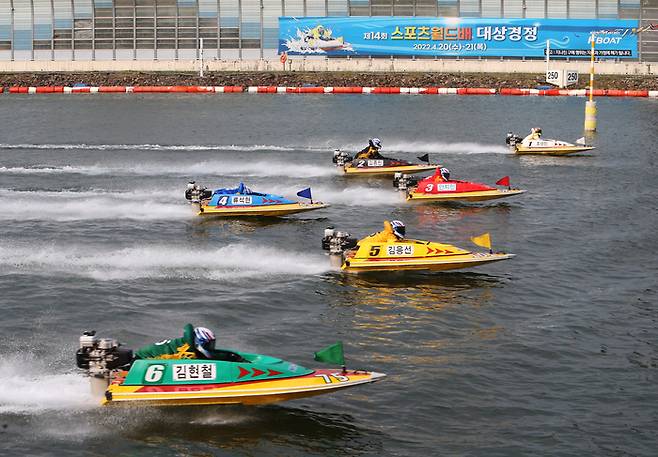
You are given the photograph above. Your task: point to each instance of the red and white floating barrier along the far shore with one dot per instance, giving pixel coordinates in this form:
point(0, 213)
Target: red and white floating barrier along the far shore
point(330, 90)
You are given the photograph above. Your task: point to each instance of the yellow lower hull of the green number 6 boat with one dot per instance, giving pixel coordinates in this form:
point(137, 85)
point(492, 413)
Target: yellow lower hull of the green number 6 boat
point(259, 392)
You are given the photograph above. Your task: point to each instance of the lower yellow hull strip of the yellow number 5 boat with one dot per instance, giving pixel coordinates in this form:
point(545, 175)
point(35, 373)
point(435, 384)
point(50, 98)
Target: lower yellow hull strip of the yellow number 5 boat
point(437, 263)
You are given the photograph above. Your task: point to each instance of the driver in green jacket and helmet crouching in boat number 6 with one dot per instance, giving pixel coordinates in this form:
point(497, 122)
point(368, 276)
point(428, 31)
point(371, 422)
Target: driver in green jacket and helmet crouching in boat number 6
point(196, 343)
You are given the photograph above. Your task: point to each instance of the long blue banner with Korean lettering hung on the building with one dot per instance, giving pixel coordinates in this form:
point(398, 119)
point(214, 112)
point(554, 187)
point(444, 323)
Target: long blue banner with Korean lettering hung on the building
point(463, 37)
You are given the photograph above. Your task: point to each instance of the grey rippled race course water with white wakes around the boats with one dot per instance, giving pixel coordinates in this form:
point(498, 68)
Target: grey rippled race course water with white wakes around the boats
point(554, 352)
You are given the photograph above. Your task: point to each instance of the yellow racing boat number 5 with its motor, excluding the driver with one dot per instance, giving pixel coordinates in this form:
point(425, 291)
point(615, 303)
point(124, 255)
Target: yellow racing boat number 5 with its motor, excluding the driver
point(404, 254)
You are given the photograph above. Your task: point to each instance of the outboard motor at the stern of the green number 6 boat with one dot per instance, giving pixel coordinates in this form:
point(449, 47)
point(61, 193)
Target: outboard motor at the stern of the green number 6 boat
point(100, 356)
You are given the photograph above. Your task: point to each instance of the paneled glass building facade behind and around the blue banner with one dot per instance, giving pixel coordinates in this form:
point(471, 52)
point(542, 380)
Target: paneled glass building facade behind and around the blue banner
point(245, 29)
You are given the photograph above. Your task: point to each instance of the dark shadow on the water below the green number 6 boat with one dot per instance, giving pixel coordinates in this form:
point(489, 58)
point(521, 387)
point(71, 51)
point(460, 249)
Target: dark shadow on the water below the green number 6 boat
point(239, 427)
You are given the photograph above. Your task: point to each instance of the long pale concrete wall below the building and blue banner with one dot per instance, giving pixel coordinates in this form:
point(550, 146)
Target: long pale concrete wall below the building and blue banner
point(354, 65)
